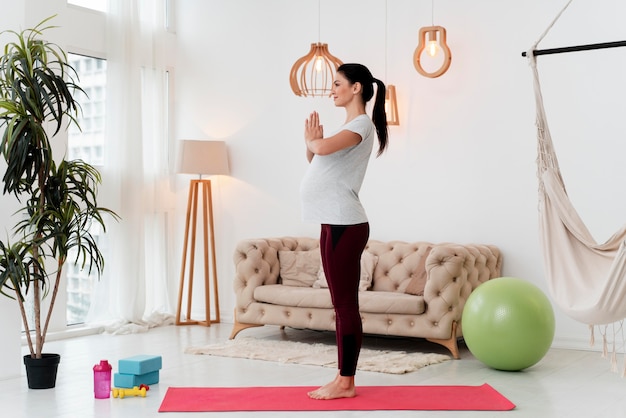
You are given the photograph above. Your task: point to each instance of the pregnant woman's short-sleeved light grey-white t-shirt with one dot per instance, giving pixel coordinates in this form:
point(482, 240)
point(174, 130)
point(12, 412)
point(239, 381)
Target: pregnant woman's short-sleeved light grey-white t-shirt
point(330, 188)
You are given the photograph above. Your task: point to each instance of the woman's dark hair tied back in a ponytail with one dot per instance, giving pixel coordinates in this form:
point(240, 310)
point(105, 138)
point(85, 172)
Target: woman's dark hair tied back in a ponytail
point(359, 73)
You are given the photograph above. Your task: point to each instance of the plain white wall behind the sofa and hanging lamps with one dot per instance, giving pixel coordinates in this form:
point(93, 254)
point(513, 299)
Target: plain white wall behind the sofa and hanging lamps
point(460, 167)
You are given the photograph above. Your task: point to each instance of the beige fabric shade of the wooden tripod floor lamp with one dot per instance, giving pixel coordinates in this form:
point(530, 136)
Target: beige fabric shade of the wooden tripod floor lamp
point(203, 157)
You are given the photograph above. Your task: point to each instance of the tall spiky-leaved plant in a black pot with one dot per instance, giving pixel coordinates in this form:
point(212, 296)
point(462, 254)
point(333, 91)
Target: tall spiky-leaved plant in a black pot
point(57, 196)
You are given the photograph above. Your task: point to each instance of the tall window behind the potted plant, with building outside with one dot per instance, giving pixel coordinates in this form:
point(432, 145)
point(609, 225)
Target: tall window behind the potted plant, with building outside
point(86, 144)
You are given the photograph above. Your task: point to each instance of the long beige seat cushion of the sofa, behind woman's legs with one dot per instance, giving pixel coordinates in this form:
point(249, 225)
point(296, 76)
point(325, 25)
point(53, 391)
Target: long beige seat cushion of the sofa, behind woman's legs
point(370, 301)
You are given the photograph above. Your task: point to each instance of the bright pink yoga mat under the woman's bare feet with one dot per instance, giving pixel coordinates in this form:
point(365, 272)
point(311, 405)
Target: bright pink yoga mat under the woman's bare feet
point(294, 398)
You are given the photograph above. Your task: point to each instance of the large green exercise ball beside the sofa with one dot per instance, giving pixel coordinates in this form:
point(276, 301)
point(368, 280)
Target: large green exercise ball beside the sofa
point(508, 323)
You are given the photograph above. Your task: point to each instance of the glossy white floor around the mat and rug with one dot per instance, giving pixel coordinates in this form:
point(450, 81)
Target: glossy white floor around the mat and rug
point(566, 383)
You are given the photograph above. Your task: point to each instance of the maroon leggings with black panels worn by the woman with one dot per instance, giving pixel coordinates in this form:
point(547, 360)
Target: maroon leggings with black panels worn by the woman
point(341, 248)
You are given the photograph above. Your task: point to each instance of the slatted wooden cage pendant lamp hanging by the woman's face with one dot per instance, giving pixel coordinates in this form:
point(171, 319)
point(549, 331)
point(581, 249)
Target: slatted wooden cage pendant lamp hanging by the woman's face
point(313, 74)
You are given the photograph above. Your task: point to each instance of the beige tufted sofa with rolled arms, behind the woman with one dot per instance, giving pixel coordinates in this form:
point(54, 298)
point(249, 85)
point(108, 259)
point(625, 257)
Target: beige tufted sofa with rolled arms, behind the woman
point(449, 273)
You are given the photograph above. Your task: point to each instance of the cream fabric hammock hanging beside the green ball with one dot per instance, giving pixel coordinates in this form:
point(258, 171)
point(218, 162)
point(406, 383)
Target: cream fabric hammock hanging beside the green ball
point(587, 280)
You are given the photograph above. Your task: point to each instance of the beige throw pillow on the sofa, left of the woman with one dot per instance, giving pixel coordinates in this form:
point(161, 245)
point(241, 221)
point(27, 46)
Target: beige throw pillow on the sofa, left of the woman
point(299, 268)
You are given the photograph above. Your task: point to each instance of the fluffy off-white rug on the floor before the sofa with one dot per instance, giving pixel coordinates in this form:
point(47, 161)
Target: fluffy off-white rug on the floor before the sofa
point(382, 361)
